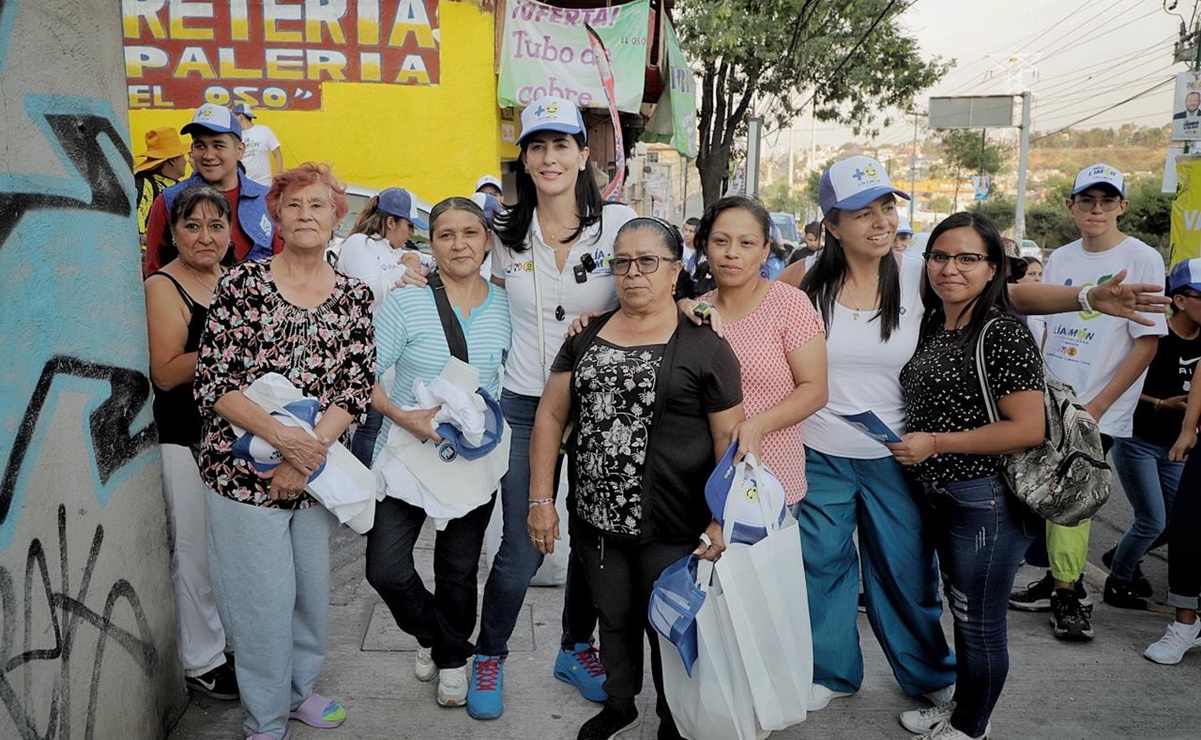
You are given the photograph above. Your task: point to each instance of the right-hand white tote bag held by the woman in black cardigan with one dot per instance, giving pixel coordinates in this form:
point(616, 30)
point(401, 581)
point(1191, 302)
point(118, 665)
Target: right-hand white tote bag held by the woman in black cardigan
point(766, 592)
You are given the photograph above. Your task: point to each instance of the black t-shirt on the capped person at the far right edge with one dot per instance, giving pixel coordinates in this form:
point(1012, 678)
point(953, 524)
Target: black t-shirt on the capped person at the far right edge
point(1170, 374)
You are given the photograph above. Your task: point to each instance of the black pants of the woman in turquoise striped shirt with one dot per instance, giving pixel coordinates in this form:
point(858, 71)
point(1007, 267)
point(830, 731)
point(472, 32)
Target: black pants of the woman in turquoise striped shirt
point(443, 620)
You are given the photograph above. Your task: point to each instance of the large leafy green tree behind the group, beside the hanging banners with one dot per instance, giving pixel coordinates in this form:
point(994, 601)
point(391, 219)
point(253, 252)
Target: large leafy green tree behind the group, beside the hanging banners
point(841, 61)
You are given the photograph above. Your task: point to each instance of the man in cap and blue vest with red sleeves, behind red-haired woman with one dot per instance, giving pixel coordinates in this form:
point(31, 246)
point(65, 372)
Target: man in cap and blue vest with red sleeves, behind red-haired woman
point(216, 152)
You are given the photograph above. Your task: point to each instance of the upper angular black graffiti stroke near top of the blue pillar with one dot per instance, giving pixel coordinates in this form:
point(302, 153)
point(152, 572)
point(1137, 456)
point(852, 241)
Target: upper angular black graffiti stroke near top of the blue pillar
point(80, 136)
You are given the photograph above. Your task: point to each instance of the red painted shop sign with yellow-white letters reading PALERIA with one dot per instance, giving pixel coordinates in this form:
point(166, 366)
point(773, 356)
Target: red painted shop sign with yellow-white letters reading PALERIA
point(273, 53)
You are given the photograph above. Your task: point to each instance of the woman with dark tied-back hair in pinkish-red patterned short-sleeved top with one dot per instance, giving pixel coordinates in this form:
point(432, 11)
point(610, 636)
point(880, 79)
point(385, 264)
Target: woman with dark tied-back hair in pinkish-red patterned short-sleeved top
point(776, 335)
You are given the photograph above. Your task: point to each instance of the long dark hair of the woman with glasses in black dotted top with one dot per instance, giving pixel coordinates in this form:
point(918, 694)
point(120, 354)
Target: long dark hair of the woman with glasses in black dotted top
point(993, 300)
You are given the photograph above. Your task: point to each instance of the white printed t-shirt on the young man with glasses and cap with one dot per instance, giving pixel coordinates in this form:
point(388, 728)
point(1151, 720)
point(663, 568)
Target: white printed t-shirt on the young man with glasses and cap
point(1085, 350)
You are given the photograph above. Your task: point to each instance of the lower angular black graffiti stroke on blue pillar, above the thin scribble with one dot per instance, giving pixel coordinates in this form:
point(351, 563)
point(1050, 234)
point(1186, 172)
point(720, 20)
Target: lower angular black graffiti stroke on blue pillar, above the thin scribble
point(113, 441)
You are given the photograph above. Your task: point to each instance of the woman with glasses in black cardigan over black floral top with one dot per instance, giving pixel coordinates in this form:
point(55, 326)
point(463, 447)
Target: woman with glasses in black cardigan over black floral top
point(655, 402)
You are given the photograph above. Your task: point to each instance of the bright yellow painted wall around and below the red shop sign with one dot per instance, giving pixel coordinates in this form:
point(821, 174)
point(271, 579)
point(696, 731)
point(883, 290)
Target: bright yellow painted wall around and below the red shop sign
point(434, 140)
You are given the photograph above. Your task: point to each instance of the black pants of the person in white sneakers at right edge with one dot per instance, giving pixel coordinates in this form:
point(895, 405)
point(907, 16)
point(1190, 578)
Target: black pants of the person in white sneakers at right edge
point(1184, 544)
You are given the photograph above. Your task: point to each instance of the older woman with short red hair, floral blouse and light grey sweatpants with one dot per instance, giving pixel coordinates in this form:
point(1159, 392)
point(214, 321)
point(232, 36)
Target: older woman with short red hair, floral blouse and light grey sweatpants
point(292, 315)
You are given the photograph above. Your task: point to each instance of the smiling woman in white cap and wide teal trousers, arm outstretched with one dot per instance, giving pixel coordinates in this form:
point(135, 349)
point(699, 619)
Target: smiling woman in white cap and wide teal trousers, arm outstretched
point(873, 311)
